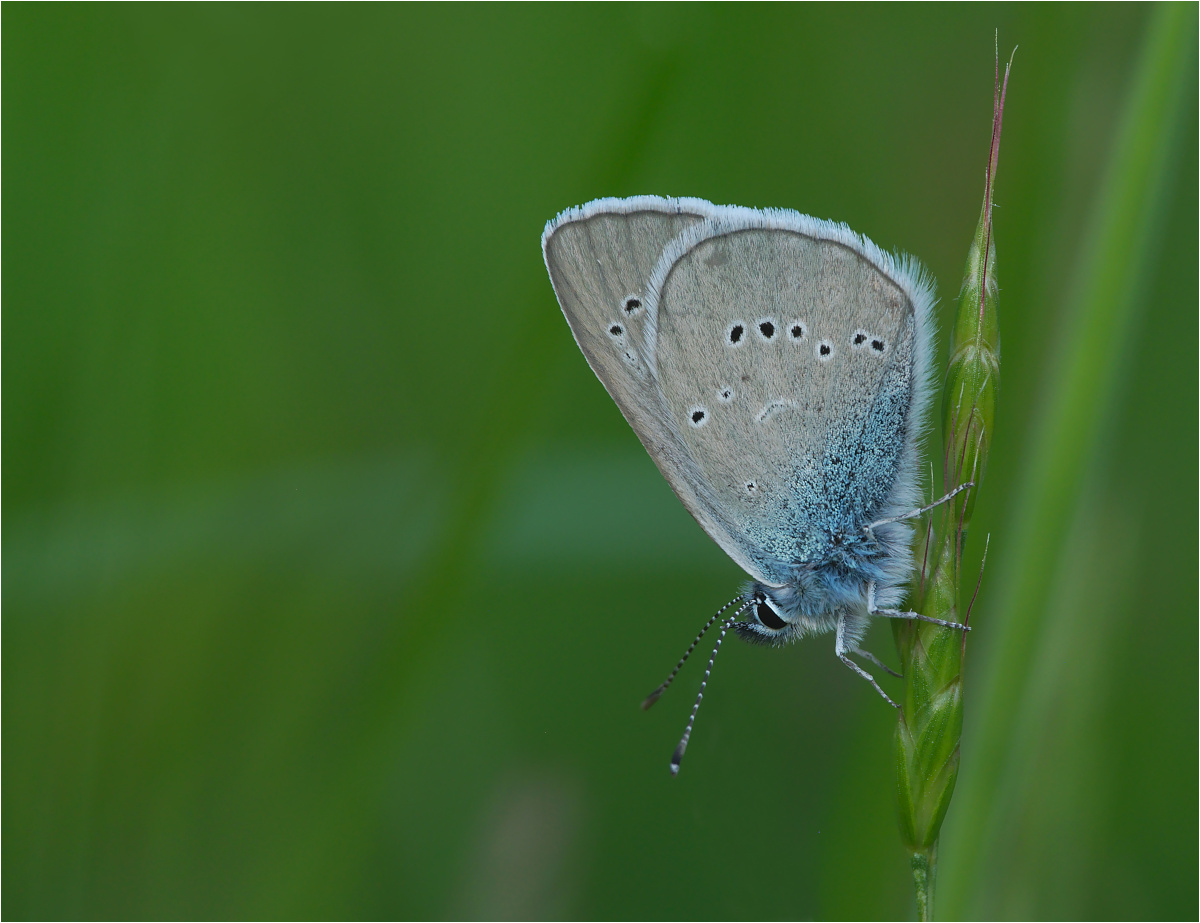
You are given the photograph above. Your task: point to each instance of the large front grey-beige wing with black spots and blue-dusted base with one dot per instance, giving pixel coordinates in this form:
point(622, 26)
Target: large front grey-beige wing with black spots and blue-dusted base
point(793, 361)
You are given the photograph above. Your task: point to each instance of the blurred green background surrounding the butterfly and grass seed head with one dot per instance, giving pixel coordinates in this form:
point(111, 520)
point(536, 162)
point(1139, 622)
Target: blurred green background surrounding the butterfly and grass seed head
point(333, 579)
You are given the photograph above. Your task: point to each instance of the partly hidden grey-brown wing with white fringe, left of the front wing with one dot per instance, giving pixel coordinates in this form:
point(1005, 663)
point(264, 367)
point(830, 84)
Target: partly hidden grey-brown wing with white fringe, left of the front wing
point(601, 259)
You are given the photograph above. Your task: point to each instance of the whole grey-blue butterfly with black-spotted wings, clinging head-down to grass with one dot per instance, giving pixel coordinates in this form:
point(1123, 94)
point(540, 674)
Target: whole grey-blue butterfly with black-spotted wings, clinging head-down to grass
point(778, 370)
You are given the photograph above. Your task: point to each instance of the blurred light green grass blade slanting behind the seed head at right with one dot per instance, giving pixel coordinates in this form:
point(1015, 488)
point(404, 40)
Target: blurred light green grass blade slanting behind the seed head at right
point(1112, 274)
